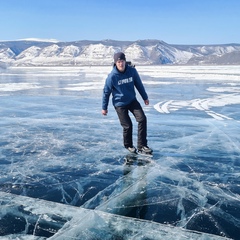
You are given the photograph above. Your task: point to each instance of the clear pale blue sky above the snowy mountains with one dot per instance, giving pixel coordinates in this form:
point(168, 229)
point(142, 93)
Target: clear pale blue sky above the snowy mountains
point(173, 21)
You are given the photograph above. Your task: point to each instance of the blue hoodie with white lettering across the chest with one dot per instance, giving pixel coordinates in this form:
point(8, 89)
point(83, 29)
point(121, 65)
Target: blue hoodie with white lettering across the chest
point(121, 86)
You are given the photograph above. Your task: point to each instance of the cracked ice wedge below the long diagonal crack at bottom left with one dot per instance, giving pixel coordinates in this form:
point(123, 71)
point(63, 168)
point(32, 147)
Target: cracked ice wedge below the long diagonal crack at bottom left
point(39, 217)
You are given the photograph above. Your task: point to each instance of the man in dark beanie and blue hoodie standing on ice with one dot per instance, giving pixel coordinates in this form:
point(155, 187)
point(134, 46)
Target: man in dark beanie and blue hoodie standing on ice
point(121, 83)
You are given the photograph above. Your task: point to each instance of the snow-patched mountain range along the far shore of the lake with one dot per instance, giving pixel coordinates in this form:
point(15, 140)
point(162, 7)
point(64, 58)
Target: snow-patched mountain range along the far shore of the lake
point(32, 52)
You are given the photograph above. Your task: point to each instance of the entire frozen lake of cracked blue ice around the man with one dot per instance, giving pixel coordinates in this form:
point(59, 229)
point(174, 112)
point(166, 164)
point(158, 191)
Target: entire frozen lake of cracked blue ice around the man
point(63, 169)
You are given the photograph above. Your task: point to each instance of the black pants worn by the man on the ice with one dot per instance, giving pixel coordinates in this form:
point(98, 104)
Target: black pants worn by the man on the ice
point(125, 121)
